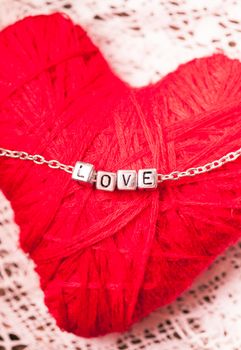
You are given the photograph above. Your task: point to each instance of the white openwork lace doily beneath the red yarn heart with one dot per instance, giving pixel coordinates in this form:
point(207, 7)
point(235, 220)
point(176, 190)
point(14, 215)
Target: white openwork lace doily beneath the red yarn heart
point(142, 40)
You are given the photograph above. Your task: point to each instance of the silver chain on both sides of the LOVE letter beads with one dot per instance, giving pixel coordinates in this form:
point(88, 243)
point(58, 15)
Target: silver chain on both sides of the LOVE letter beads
point(174, 175)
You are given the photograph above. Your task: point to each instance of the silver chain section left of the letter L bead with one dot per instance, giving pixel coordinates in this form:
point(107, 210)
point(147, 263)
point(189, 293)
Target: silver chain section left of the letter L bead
point(36, 158)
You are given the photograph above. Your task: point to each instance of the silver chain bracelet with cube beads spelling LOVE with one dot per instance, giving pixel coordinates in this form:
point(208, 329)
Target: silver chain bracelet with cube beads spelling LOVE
point(123, 179)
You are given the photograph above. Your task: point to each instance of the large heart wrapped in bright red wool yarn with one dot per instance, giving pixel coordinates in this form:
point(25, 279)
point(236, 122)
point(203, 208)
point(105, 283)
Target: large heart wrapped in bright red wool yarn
point(107, 259)
